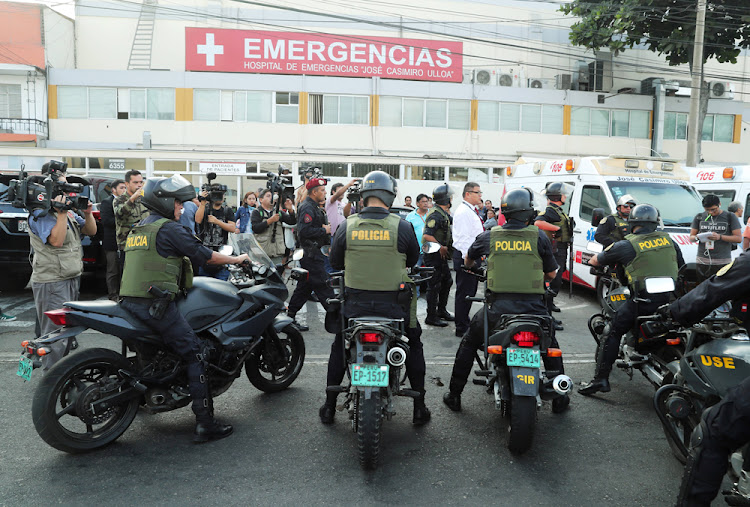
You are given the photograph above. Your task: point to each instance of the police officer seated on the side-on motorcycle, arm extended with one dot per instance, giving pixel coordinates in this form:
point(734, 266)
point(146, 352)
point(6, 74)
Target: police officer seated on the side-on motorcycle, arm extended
point(159, 253)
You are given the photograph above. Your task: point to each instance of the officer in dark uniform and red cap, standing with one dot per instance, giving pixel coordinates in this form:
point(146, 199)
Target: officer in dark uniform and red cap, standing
point(313, 232)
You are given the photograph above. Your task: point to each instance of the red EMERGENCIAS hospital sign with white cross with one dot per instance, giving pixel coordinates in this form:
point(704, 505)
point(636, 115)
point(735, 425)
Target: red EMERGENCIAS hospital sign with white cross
point(266, 52)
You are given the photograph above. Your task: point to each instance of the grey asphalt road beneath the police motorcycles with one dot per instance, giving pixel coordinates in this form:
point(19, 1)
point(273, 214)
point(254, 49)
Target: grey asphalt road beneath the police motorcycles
point(608, 449)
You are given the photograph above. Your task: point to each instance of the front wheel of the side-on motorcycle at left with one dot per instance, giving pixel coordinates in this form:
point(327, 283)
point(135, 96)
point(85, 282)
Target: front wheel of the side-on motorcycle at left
point(278, 361)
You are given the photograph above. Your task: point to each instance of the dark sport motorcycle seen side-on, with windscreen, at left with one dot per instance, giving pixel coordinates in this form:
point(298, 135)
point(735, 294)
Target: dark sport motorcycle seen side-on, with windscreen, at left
point(89, 398)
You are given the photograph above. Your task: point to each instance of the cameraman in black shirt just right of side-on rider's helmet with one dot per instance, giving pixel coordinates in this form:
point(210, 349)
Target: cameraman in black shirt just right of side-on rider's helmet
point(215, 221)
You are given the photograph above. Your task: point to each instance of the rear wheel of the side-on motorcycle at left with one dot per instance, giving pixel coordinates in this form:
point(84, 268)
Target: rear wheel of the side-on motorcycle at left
point(61, 409)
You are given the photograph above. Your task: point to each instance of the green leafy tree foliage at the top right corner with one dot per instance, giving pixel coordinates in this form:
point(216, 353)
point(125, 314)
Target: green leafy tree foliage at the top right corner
point(666, 27)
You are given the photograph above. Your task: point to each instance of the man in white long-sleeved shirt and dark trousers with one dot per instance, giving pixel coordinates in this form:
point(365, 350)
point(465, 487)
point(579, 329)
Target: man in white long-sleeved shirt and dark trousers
point(467, 225)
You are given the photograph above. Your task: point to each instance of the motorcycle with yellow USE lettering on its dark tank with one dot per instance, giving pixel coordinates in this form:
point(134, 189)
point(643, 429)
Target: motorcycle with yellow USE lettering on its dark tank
point(717, 358)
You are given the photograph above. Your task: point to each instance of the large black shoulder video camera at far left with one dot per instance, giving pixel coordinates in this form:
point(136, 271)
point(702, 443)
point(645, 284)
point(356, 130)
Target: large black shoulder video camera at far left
point(38, 192)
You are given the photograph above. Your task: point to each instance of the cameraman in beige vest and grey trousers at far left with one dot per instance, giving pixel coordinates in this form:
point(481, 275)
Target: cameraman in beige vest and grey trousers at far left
point(58, 261)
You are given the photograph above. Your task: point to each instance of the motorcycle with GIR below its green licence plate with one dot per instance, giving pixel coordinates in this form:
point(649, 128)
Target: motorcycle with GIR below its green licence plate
point(513, 368)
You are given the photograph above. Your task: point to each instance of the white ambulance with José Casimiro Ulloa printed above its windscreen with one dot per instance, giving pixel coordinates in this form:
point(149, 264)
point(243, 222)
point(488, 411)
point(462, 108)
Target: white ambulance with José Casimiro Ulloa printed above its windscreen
point(598, 182)
